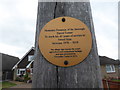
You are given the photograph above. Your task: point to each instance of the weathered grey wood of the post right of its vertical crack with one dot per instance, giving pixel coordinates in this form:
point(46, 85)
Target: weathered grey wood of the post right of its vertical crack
point(86, 74)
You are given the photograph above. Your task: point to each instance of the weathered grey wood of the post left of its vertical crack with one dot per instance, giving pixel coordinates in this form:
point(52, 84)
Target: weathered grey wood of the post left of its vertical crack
point(44, 73)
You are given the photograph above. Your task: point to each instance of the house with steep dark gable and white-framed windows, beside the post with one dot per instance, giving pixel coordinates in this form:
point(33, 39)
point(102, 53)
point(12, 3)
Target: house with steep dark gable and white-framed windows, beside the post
point(25, 64)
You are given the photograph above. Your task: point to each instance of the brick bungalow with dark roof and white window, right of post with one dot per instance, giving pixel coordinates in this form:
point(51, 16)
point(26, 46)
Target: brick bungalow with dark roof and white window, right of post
point(109, 67)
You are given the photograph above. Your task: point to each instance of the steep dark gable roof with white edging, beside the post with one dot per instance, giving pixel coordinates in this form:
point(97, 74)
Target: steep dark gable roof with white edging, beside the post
point(24, 60)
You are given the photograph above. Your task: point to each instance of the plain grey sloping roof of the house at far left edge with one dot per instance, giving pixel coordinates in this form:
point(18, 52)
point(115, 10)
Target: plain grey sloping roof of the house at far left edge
point(8, 61)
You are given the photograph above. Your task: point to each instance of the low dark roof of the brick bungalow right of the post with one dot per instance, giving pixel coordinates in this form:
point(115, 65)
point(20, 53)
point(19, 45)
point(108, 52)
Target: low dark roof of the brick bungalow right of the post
point(105, 60)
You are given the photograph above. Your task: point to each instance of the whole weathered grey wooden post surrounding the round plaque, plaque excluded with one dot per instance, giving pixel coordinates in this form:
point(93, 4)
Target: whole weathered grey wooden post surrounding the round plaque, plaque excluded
point(84, 75)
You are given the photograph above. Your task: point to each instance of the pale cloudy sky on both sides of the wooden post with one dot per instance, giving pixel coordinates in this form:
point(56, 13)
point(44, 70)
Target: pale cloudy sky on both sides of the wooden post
point(18, 26)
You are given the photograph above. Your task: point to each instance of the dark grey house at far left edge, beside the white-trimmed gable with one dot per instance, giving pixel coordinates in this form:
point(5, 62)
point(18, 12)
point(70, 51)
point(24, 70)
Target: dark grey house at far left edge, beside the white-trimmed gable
point(8, 62)
